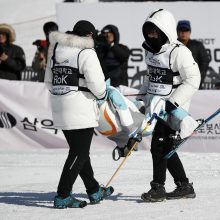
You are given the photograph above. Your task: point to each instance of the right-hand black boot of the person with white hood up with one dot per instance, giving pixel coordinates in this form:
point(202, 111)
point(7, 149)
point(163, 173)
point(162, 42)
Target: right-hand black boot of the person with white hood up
point(183, 190)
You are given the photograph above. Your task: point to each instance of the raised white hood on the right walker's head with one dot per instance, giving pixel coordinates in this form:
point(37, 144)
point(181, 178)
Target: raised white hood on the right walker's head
point(165, 21)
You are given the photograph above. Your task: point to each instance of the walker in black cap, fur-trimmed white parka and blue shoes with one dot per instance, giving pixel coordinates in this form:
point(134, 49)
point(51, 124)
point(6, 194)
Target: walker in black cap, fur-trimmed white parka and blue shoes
point(76, 81)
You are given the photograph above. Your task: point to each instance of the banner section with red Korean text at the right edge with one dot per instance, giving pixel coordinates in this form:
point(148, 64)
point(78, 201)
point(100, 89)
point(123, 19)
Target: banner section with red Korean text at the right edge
point(204, 103)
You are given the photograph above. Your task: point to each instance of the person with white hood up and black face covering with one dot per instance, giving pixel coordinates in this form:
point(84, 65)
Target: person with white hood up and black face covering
point(174, 75)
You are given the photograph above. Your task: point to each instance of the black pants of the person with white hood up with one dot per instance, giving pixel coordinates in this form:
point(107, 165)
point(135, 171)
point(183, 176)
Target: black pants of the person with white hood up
point(161, 144)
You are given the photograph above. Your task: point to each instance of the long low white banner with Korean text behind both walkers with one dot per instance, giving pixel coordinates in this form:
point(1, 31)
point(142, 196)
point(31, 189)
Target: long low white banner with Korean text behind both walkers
point(26, 120)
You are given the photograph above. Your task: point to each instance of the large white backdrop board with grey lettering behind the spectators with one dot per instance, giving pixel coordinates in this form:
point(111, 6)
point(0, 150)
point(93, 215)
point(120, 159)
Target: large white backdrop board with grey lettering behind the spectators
point(129, 18)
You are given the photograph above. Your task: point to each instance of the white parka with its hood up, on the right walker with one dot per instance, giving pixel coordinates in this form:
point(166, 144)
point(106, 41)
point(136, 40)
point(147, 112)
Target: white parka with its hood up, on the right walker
point(181, 60)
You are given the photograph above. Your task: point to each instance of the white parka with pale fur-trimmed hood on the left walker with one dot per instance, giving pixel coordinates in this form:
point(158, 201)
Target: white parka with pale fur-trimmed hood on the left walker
point(76, 109)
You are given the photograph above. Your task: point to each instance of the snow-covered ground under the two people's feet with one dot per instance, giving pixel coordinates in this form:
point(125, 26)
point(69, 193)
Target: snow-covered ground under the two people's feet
point(29, 179)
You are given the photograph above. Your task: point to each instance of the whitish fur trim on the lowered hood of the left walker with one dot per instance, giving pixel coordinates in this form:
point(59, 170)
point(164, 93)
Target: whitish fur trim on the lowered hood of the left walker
point(70, 40)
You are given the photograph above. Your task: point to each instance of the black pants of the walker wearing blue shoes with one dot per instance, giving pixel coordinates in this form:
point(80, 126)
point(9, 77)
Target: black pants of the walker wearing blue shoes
point(77, 162)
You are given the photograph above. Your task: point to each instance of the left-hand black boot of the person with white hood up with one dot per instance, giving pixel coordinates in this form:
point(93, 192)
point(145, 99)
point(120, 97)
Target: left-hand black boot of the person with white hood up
point(157, 193)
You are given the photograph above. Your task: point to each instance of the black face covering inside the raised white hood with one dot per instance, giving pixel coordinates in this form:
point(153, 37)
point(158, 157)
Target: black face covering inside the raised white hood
point(154, 43)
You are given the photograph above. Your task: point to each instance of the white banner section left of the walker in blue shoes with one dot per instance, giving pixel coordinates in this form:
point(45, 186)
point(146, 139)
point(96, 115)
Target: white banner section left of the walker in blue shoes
point(26, 119)
